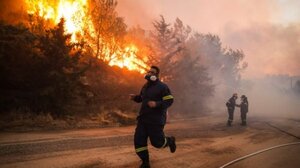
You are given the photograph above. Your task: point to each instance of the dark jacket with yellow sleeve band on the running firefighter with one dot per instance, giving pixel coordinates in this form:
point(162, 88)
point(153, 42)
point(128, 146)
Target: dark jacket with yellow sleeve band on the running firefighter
point(158, 92)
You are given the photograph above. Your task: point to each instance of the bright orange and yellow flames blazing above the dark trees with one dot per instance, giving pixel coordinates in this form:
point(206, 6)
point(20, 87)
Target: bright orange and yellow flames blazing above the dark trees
point(96, 23)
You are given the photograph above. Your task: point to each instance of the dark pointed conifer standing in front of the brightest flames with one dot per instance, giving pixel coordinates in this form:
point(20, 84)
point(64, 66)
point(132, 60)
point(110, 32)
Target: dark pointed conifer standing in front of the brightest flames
point(61, 68)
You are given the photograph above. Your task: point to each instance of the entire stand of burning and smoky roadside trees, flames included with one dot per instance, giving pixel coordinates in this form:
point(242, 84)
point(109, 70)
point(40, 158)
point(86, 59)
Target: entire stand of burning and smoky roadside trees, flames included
point(89, 60)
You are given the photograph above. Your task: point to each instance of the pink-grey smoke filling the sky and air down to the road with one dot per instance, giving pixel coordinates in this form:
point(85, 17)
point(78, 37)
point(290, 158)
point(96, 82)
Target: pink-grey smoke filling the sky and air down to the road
point(267, 31)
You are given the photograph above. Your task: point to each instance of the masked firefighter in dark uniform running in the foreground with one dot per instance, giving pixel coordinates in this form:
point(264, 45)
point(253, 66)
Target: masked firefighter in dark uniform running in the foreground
point(155, 97)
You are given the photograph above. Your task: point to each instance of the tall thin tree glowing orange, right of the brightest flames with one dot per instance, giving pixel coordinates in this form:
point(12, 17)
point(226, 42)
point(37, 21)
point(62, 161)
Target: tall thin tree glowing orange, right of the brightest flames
point(109, 29)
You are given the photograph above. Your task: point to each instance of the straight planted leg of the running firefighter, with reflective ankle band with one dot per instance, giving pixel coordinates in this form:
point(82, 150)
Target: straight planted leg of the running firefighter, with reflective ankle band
point(140, 142)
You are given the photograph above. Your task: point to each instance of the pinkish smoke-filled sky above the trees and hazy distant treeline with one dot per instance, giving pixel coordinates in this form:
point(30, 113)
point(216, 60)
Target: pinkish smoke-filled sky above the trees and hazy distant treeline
point(268, 31)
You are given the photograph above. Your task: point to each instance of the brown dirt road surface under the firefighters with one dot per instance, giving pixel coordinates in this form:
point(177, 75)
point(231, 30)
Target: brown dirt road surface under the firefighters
point(204, 142)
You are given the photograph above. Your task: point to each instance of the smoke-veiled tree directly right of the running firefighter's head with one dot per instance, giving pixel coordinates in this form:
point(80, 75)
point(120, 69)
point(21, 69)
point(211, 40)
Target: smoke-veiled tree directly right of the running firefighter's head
point(188, 79)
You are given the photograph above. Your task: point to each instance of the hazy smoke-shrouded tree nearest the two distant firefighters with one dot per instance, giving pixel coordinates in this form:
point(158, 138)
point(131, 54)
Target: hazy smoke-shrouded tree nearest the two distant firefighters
point(225, 65)
